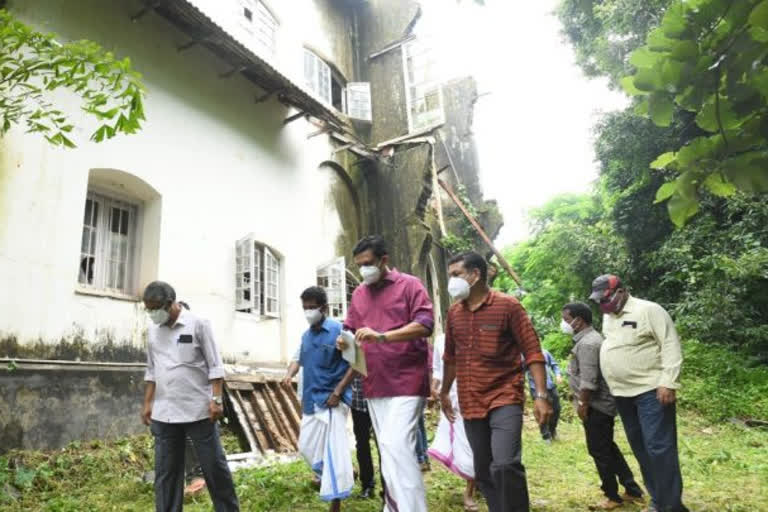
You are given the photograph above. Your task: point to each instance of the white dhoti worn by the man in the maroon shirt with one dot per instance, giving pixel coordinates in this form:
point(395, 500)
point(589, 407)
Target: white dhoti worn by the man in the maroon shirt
point(395, 421)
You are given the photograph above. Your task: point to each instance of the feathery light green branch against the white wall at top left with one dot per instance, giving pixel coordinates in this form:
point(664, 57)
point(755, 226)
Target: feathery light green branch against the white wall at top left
point(34, 67)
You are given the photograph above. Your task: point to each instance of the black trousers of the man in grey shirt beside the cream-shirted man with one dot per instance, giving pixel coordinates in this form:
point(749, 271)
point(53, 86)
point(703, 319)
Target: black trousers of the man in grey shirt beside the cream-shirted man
point(609, 461)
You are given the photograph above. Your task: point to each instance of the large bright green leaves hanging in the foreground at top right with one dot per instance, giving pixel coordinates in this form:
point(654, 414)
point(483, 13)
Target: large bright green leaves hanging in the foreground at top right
point(709, 58)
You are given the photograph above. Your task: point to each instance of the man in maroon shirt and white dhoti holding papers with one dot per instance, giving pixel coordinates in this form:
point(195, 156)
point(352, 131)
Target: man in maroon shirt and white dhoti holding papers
point(391, 316)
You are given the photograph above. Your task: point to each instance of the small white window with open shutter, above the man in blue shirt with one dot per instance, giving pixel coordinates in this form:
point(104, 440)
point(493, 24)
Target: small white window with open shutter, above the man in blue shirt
point(257, 279)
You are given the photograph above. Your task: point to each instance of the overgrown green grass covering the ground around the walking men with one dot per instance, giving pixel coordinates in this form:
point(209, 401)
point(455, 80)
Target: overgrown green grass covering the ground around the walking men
point(724, 467)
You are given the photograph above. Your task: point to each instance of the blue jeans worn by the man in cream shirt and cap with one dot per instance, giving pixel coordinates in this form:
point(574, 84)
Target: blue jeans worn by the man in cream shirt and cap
point(651, 430)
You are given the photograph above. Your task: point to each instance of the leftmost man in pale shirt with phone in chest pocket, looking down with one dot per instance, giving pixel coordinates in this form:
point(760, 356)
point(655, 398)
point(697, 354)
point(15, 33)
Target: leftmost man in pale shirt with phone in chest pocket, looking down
point(183, 398)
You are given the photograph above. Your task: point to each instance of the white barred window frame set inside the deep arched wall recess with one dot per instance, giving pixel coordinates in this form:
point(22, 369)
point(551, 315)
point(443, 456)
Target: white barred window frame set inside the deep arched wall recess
point(100, 244)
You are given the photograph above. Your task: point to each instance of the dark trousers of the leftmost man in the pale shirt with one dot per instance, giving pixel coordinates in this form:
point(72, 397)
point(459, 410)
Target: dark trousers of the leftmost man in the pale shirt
point(170, 441)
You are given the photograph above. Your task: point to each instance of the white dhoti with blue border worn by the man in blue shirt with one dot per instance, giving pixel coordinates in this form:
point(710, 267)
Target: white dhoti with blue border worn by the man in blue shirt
point(324, 444)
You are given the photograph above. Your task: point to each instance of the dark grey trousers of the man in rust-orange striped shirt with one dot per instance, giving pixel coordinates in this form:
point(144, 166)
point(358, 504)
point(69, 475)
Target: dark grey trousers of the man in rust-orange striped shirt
point(497, 449)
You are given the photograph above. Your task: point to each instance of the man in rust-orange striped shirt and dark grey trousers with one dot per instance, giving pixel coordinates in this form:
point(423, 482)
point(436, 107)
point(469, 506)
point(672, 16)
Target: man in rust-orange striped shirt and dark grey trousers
point(486, 332)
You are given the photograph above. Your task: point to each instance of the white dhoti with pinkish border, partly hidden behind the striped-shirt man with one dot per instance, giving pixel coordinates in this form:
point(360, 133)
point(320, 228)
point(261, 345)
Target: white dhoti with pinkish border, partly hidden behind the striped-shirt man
point(450, 445)
